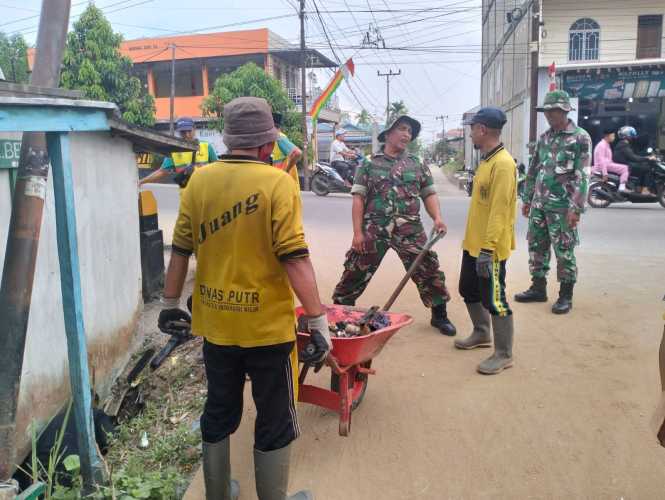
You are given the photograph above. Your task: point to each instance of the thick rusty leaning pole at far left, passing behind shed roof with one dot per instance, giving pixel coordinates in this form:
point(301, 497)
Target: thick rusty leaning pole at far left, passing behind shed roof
point(24, 229)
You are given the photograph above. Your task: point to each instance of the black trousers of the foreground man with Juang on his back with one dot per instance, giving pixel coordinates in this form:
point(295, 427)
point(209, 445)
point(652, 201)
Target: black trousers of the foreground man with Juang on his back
point(273, 377)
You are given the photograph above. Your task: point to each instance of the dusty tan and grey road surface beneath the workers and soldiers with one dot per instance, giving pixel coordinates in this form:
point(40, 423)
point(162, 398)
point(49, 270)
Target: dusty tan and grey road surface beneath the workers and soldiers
point(570, 420)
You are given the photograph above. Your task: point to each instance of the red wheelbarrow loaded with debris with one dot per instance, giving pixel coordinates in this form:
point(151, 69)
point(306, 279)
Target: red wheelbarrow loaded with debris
point(350, 363)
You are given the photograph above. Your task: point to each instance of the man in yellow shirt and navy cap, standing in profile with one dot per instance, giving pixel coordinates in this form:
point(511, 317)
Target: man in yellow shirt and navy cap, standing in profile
point(488, 242)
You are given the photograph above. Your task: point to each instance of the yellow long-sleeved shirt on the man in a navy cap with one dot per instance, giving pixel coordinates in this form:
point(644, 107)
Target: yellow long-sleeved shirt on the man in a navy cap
point(491, 221)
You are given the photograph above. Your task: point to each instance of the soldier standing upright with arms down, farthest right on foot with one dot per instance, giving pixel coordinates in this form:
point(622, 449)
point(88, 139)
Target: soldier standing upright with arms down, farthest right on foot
point(554, 196)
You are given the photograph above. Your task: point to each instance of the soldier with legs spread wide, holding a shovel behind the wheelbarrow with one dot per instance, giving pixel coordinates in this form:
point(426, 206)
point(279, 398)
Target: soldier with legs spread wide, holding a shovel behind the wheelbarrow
point(386, 214)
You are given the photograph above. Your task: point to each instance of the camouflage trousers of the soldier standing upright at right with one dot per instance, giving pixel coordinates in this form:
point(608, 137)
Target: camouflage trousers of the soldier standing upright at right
point(548, 229)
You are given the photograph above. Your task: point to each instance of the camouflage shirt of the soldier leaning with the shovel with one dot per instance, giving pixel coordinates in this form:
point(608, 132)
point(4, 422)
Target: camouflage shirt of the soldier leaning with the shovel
point(392, 187)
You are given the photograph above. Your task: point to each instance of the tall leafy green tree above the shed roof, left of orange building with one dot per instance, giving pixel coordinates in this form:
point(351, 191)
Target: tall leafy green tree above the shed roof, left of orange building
point(93, 64)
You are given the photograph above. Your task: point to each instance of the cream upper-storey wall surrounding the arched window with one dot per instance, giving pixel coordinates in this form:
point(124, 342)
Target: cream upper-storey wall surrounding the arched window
point(618, 27)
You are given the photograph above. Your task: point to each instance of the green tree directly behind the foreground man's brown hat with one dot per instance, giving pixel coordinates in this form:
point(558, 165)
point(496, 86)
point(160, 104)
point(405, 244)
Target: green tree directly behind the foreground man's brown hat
point(250, 80)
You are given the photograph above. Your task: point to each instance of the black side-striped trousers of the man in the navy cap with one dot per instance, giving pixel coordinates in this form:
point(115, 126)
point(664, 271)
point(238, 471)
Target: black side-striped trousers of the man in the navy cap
point(490, 291)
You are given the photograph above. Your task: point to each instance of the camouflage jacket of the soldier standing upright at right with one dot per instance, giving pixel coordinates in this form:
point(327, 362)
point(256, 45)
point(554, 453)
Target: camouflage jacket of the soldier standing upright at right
point(557, 176)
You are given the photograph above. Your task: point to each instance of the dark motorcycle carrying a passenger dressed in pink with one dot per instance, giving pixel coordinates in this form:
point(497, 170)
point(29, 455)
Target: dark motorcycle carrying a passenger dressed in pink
point(603, 193)
